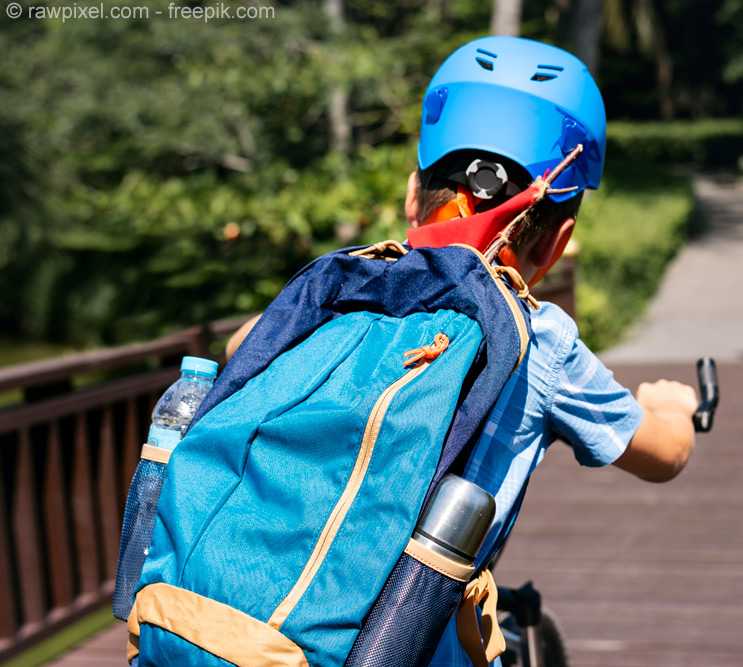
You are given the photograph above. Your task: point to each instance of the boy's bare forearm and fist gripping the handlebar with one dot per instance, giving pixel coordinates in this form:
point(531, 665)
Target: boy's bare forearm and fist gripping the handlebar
point(662, 444)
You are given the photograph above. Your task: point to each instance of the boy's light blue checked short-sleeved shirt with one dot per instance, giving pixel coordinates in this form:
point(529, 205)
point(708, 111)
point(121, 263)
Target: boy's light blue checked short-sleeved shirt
point(560, 389)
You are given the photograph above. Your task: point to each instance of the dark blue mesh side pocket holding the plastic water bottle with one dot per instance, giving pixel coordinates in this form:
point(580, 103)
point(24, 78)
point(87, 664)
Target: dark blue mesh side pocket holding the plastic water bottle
point(136, 533)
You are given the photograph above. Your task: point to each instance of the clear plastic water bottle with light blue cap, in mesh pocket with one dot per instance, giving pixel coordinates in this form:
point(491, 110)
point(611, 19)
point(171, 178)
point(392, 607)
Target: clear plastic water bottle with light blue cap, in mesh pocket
point(170, 419)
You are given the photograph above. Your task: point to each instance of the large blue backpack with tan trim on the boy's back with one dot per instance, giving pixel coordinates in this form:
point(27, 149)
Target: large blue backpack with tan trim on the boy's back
point(287, 510)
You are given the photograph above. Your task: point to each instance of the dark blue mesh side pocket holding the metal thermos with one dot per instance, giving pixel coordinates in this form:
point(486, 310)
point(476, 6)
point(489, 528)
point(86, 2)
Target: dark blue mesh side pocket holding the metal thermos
point(406, 622)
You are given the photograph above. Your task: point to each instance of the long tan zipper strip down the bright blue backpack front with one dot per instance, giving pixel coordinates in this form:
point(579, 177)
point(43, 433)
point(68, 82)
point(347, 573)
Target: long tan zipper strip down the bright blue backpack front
point(333, 524)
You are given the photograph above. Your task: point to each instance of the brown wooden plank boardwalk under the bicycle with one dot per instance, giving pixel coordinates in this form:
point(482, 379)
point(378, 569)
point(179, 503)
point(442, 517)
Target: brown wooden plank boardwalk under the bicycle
point(639, 574)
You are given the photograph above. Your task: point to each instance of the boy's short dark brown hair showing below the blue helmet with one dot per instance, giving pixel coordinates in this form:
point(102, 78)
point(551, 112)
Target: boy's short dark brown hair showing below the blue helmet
point(434, 191)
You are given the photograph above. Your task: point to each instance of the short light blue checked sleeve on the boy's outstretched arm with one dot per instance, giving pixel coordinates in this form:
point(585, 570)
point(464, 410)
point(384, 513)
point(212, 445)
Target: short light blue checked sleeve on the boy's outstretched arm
point(591, 410)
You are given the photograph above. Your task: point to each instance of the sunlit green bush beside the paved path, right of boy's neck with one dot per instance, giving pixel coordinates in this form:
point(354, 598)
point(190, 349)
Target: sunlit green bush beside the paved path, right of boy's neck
point(627, 230)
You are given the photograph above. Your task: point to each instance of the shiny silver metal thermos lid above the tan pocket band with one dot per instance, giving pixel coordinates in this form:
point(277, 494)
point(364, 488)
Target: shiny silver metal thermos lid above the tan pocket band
point(458, 516)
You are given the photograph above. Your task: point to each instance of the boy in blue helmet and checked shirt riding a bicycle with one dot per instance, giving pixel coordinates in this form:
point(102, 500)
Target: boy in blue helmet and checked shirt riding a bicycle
point(496, 115)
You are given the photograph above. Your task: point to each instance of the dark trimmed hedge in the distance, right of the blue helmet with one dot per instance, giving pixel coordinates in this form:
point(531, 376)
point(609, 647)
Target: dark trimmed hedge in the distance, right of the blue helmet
point(710, 142)
